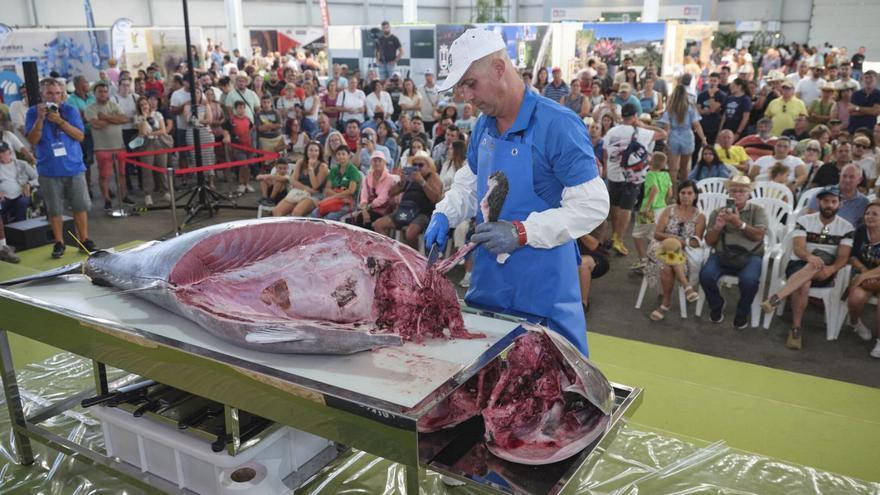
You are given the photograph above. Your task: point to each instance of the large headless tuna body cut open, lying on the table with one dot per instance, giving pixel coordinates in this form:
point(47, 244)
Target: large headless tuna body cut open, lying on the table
point(290, 285)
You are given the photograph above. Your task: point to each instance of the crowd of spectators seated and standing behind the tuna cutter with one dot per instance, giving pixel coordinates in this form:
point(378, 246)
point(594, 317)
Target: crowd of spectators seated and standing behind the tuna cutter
point(379, 151)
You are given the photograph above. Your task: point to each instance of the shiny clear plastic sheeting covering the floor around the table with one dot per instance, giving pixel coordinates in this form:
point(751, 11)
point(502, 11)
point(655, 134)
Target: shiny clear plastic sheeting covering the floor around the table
point(636, 461)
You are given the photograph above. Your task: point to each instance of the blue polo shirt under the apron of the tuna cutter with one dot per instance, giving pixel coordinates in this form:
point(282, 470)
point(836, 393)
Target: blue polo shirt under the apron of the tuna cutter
point(561, 152)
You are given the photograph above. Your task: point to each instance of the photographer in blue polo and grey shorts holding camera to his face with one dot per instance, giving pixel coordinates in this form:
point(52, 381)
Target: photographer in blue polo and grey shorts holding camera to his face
point(55, 130)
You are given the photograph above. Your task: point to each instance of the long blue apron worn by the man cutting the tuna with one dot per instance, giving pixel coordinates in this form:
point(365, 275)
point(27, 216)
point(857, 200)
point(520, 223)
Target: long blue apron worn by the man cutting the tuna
point(533, 283)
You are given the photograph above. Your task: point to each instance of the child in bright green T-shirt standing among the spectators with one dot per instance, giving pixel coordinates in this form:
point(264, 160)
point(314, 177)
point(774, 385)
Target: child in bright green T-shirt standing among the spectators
point(657, 190)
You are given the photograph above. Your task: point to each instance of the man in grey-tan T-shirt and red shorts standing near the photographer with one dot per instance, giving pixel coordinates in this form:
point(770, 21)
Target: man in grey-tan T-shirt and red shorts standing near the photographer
point(106, 119)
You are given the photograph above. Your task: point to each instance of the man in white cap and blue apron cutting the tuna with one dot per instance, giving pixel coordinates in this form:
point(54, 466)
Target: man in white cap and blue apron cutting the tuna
point(555, 194)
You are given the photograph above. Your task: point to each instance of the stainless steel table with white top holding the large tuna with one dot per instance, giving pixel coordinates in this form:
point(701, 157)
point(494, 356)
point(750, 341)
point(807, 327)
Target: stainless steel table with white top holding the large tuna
point(370, 400)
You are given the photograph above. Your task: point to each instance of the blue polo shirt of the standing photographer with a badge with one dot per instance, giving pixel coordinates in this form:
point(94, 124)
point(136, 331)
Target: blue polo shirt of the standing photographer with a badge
point(49, 165)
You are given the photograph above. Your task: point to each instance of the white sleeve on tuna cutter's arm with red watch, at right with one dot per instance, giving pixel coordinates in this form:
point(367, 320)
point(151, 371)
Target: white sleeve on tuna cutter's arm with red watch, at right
point(583, 208)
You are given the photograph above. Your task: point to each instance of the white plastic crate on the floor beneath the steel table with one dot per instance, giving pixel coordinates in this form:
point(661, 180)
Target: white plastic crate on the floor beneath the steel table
point(178, 457)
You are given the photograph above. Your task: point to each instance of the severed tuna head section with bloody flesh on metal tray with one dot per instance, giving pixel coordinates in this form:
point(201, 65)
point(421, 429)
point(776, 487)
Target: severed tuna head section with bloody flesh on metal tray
point(539, 411)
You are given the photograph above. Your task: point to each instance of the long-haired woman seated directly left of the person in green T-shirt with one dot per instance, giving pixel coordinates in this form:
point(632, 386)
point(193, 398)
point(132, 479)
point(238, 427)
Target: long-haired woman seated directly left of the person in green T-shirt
point(306, 183)
